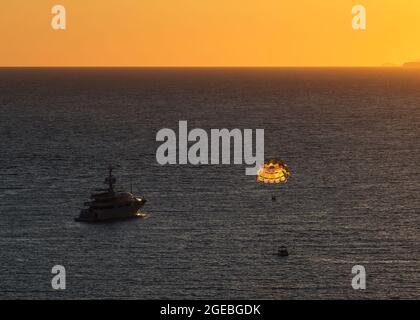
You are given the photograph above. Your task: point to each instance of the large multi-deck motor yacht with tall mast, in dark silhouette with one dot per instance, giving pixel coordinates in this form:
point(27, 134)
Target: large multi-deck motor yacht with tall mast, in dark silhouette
point(110, 204)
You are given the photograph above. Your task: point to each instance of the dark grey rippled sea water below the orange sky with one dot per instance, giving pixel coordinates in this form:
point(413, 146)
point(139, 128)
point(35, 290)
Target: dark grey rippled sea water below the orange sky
point(350, 136)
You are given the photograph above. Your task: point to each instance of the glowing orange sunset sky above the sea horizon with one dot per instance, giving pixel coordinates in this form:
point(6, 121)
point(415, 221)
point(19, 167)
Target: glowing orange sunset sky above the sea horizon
point(209, 33)
